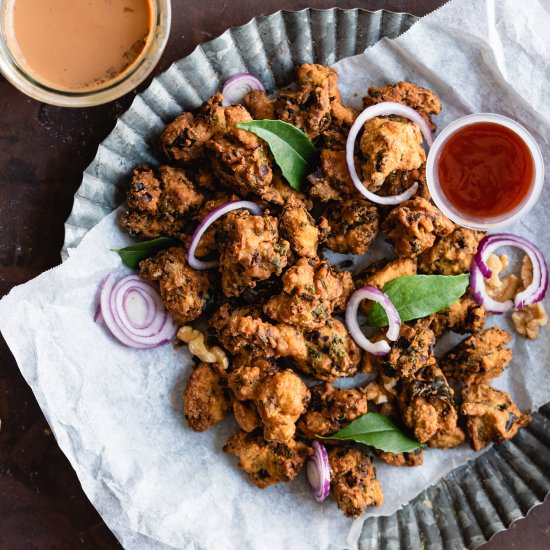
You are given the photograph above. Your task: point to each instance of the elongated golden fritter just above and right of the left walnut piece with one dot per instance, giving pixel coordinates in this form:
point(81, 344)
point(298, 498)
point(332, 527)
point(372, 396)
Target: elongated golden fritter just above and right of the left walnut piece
point(243, 330)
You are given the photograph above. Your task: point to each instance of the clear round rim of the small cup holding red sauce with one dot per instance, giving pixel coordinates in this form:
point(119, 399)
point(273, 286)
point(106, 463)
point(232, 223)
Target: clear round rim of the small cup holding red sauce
point(484, 224)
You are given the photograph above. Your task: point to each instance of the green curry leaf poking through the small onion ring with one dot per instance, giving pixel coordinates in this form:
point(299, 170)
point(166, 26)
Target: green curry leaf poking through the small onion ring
point(417, 296)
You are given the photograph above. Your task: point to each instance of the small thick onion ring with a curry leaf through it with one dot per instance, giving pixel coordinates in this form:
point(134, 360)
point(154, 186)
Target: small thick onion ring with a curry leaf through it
point(370, 293)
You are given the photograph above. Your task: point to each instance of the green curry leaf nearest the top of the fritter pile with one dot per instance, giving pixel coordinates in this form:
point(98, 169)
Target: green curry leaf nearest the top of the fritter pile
point(290, 147)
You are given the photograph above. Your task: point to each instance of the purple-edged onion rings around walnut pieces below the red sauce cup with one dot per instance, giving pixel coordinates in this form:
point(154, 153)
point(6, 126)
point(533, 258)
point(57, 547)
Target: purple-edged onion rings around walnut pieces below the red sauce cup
point(480, 270)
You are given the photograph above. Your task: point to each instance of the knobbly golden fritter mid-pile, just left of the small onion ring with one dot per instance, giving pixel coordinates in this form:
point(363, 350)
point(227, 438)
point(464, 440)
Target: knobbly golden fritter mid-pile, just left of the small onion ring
point(312, 290)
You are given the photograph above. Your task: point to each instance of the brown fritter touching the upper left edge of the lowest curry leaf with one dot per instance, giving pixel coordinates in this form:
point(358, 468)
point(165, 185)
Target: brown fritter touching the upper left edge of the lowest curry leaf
point(330, 409)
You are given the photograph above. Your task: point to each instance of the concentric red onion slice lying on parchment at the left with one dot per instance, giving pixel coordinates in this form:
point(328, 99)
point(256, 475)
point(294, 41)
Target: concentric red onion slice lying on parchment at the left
point(134, 313)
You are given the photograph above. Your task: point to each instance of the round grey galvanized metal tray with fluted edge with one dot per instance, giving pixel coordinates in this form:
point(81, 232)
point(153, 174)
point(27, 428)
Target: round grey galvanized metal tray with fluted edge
point(470, 504)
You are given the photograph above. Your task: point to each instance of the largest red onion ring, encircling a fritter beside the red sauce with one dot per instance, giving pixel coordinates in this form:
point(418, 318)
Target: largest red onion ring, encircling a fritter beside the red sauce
point(385, 108)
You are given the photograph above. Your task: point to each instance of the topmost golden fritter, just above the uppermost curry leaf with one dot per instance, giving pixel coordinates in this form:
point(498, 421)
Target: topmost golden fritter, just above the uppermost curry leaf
point(309, 108)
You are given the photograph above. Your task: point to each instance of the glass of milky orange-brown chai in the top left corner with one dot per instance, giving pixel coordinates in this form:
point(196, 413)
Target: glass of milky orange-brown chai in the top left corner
point(79, 53)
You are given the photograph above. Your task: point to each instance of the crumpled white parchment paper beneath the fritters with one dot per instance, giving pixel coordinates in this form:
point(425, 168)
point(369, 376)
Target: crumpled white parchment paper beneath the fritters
point(116, 412)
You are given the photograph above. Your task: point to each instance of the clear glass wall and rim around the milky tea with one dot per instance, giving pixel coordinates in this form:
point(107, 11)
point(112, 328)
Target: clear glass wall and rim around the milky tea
point(125, 82)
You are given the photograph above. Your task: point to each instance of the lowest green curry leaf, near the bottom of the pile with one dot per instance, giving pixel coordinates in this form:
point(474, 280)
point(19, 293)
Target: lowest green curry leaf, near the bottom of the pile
point(378, 431)
